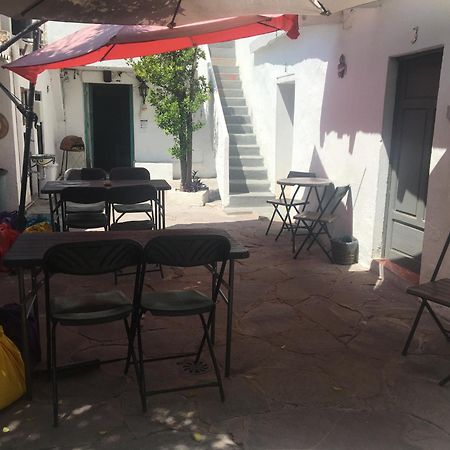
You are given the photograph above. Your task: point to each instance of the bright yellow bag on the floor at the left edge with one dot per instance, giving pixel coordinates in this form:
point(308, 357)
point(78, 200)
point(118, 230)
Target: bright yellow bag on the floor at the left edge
point(12, 371)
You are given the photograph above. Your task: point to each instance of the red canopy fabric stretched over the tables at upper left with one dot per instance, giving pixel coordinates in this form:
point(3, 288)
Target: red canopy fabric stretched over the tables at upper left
point(104, 42)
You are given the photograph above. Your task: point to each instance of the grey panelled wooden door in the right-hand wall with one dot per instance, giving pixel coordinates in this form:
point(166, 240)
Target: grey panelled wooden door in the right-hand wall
point(415, 109)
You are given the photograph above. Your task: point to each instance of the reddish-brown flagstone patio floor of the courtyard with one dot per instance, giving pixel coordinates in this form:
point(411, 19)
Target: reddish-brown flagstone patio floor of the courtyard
point(316, 363)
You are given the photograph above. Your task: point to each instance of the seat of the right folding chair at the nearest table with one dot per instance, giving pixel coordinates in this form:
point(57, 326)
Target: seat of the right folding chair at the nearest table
point(176, 303)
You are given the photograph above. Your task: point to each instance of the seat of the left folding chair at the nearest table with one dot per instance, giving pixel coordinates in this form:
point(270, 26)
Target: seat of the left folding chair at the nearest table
point(86, 309)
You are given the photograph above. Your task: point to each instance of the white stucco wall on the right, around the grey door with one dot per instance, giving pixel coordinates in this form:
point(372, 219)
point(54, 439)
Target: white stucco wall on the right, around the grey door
point(339, 130)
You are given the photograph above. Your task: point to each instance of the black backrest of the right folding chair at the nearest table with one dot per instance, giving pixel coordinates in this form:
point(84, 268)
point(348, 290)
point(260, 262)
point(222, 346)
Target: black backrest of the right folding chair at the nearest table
point(187, 250)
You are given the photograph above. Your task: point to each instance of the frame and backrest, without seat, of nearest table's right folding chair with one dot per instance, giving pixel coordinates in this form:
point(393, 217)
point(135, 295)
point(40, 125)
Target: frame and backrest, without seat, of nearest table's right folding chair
point(184, 251)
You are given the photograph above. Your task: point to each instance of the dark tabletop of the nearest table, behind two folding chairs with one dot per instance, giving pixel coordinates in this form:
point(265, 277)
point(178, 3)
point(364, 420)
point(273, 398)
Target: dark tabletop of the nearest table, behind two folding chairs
point(29, 248)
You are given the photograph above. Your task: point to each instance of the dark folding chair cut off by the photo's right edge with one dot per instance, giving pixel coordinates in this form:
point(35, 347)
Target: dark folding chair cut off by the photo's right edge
point(435, 291)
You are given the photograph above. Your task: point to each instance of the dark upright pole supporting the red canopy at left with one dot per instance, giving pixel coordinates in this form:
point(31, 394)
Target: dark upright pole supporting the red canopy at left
point(21, 221)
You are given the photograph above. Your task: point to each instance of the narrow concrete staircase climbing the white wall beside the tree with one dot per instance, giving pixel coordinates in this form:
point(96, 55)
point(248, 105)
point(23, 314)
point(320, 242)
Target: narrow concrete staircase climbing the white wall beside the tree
point(249, 185)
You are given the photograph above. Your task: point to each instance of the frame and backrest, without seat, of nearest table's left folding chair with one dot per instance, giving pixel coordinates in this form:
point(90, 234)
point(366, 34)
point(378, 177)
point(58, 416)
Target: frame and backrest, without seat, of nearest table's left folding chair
point(81, 259)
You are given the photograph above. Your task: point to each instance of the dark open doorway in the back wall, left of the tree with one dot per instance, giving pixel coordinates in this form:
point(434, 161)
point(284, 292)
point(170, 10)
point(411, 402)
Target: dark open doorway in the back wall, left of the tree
point(111, 130)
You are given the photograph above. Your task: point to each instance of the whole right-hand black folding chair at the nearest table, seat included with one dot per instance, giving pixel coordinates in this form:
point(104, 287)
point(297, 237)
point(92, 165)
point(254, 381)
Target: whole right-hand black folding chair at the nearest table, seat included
point(184, 250)
